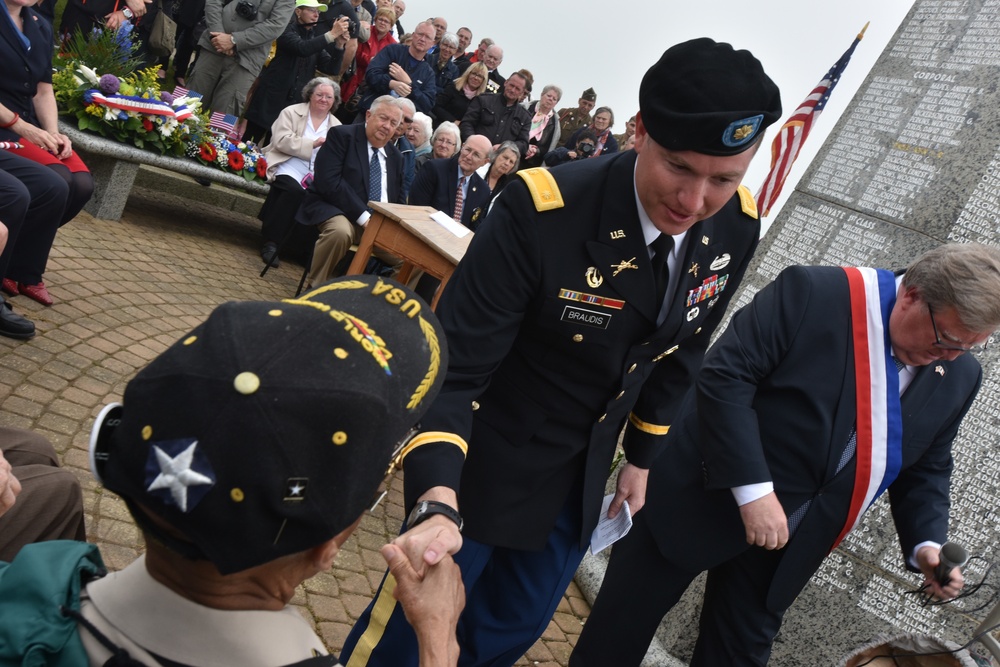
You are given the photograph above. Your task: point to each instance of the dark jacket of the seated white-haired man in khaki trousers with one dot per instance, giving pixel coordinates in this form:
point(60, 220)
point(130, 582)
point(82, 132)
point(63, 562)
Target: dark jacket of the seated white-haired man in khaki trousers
point(340, 181)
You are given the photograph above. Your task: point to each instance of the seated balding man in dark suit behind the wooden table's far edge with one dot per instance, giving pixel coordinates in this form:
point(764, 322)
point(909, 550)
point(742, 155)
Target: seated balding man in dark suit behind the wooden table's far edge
point(453, 186)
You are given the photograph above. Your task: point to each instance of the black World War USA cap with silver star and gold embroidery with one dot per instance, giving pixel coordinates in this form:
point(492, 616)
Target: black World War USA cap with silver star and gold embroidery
point(267, 429)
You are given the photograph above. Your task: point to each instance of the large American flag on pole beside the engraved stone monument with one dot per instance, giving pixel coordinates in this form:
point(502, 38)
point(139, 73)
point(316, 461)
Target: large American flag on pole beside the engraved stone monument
point(792, 135)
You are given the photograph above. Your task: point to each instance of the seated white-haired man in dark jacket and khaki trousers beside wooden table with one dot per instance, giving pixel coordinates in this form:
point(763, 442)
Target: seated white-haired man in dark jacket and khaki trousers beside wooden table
point(355, 165)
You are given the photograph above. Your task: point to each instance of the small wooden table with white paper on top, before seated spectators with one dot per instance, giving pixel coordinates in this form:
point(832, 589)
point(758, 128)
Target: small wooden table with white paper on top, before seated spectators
point(409, 232)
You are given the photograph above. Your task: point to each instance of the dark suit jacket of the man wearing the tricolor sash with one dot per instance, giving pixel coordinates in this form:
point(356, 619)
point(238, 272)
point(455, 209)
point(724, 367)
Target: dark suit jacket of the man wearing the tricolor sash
point(775, 401)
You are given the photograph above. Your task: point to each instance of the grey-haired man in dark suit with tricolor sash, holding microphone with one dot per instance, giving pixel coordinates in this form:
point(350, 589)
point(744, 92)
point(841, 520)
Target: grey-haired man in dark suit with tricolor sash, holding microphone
point(833, 385)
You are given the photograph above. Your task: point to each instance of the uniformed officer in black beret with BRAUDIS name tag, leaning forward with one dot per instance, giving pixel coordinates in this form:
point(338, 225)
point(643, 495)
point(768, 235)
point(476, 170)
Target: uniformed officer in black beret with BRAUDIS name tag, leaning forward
point(583, 307)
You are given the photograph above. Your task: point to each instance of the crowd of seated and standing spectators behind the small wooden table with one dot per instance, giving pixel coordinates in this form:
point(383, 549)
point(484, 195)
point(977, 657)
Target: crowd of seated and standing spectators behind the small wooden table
point(421, 99)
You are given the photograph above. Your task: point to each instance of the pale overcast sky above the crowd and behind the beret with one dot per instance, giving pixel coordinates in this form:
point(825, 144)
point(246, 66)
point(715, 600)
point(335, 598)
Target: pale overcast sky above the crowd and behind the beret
point(579, 44)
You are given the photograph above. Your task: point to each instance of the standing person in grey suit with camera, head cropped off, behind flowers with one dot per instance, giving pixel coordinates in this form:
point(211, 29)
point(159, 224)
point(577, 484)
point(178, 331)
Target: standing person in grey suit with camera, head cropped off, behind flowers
point(234, 48)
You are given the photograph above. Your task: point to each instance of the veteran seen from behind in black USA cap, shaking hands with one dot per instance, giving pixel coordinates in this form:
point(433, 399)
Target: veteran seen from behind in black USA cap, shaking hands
point(247, 453)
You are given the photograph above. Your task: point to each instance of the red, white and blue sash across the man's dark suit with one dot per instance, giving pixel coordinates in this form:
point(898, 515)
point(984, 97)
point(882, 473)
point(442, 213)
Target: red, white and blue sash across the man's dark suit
point(879, 419)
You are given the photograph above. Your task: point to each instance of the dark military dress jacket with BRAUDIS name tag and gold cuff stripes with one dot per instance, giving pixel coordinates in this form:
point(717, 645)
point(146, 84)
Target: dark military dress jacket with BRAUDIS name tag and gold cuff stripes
point(540, 383)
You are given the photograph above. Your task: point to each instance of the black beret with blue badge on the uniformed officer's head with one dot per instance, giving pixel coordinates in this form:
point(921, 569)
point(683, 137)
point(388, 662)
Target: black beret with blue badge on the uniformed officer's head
point(707, 97)
